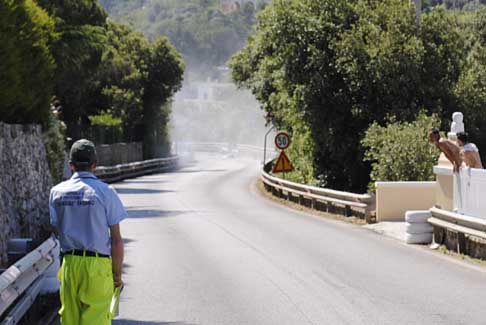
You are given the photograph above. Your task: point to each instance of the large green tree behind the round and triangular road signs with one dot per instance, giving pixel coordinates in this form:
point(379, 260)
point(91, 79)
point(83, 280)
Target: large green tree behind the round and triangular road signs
point(338, 66)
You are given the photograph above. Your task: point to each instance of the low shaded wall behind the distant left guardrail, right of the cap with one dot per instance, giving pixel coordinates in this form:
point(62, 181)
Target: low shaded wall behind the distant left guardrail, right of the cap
point(119, 153)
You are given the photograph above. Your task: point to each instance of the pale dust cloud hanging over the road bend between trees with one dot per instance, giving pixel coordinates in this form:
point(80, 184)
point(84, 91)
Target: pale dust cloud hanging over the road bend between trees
point(216, 112)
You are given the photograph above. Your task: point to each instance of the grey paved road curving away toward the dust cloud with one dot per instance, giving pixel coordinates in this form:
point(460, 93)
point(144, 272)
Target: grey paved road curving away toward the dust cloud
point(202, 247)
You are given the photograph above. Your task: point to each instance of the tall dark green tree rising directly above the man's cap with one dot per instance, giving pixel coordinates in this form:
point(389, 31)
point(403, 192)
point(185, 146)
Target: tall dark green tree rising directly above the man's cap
point(78, 50)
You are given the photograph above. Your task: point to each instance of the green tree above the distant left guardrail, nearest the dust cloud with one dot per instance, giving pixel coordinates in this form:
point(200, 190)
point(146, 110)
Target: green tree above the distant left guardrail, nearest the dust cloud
point(136, 81)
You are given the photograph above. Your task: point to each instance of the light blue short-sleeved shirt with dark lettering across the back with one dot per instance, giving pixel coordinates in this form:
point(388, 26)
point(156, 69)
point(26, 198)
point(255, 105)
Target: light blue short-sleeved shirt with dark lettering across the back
point(82, 210)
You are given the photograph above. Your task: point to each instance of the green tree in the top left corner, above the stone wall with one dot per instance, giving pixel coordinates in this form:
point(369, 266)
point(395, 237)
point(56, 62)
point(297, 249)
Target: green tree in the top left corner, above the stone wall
point(26, 63)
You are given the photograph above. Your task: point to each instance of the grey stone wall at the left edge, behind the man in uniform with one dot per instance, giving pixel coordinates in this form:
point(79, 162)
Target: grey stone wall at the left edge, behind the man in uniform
point(25, 182)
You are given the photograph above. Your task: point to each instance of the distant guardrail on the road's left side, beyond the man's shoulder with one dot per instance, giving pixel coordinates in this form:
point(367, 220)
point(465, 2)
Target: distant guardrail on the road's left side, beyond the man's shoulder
point(119, 172)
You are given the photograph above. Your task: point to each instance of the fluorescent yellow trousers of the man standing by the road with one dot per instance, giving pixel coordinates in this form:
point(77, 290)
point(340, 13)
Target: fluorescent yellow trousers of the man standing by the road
point(86, 290)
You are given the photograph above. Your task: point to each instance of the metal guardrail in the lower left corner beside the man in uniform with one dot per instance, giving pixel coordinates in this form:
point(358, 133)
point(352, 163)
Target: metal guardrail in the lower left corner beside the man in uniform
point(22, 281)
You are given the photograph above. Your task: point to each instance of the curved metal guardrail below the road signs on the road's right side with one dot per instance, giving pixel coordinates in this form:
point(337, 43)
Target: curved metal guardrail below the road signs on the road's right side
point(319, 198)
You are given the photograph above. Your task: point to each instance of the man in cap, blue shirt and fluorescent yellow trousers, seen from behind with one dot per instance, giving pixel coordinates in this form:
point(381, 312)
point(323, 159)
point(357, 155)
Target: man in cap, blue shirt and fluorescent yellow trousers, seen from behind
point(85, 213)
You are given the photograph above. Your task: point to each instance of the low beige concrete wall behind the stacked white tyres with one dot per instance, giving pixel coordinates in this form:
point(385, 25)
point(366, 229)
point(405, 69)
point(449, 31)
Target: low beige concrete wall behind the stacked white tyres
point(393, 199)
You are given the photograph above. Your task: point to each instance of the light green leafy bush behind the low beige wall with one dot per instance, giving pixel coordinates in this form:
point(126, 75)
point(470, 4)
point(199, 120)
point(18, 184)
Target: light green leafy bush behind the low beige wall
point(401, 151)
